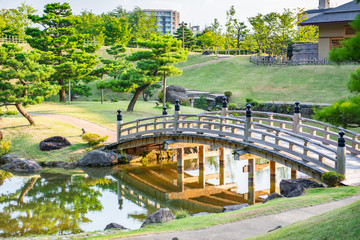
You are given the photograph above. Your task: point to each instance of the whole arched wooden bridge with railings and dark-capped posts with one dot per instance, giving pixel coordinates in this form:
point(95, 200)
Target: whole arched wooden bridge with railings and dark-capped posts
point(303, 144)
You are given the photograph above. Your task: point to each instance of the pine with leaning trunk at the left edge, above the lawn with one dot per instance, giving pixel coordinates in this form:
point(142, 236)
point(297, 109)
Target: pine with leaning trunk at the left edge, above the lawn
point(23, 80)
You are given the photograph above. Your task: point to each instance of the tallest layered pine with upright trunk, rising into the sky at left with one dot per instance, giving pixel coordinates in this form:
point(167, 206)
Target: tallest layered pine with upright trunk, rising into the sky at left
point(66, 50)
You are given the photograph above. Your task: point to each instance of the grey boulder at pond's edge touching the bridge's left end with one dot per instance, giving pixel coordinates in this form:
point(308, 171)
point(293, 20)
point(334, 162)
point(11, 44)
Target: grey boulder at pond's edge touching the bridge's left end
point(97, 158)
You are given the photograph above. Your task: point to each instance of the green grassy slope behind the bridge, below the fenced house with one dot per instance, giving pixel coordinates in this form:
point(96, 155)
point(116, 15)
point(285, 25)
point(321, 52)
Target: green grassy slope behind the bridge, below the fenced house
point(318, 84)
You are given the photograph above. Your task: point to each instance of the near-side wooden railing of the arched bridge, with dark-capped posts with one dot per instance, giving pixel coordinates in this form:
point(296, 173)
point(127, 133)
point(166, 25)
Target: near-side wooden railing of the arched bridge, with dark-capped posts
point(289, 140)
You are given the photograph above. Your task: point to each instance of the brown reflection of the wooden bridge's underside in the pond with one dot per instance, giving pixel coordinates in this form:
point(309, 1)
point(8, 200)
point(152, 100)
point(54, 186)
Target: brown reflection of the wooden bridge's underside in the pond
point(157, 186)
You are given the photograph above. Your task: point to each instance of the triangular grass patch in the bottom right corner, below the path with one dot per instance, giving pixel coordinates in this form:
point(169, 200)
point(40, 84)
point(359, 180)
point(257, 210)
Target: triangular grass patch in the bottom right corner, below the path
point(341, 223)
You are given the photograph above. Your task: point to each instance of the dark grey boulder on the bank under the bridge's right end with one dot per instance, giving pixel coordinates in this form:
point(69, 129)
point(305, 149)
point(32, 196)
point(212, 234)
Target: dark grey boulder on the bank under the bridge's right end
point(295, 187)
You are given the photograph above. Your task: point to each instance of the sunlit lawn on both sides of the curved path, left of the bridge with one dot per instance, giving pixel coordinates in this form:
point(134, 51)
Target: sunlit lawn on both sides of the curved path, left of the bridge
point(25, 139)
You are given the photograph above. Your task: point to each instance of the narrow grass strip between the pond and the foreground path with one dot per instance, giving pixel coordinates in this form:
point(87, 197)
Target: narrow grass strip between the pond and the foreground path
point(310, 198)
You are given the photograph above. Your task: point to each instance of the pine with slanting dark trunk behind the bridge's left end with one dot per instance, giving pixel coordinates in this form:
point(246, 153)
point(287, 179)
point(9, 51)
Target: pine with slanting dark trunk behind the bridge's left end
point(152, 64)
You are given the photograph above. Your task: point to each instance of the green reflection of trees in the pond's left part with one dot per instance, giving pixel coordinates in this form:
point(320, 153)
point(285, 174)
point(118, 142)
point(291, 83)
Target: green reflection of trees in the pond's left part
point(51, 205)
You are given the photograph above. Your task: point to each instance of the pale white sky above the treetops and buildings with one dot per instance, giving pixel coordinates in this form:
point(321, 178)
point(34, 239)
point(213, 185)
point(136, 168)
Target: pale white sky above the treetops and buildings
point(196, 12)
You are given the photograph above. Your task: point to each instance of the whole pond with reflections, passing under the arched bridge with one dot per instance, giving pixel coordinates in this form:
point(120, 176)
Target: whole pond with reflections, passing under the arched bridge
point(66, 202)
